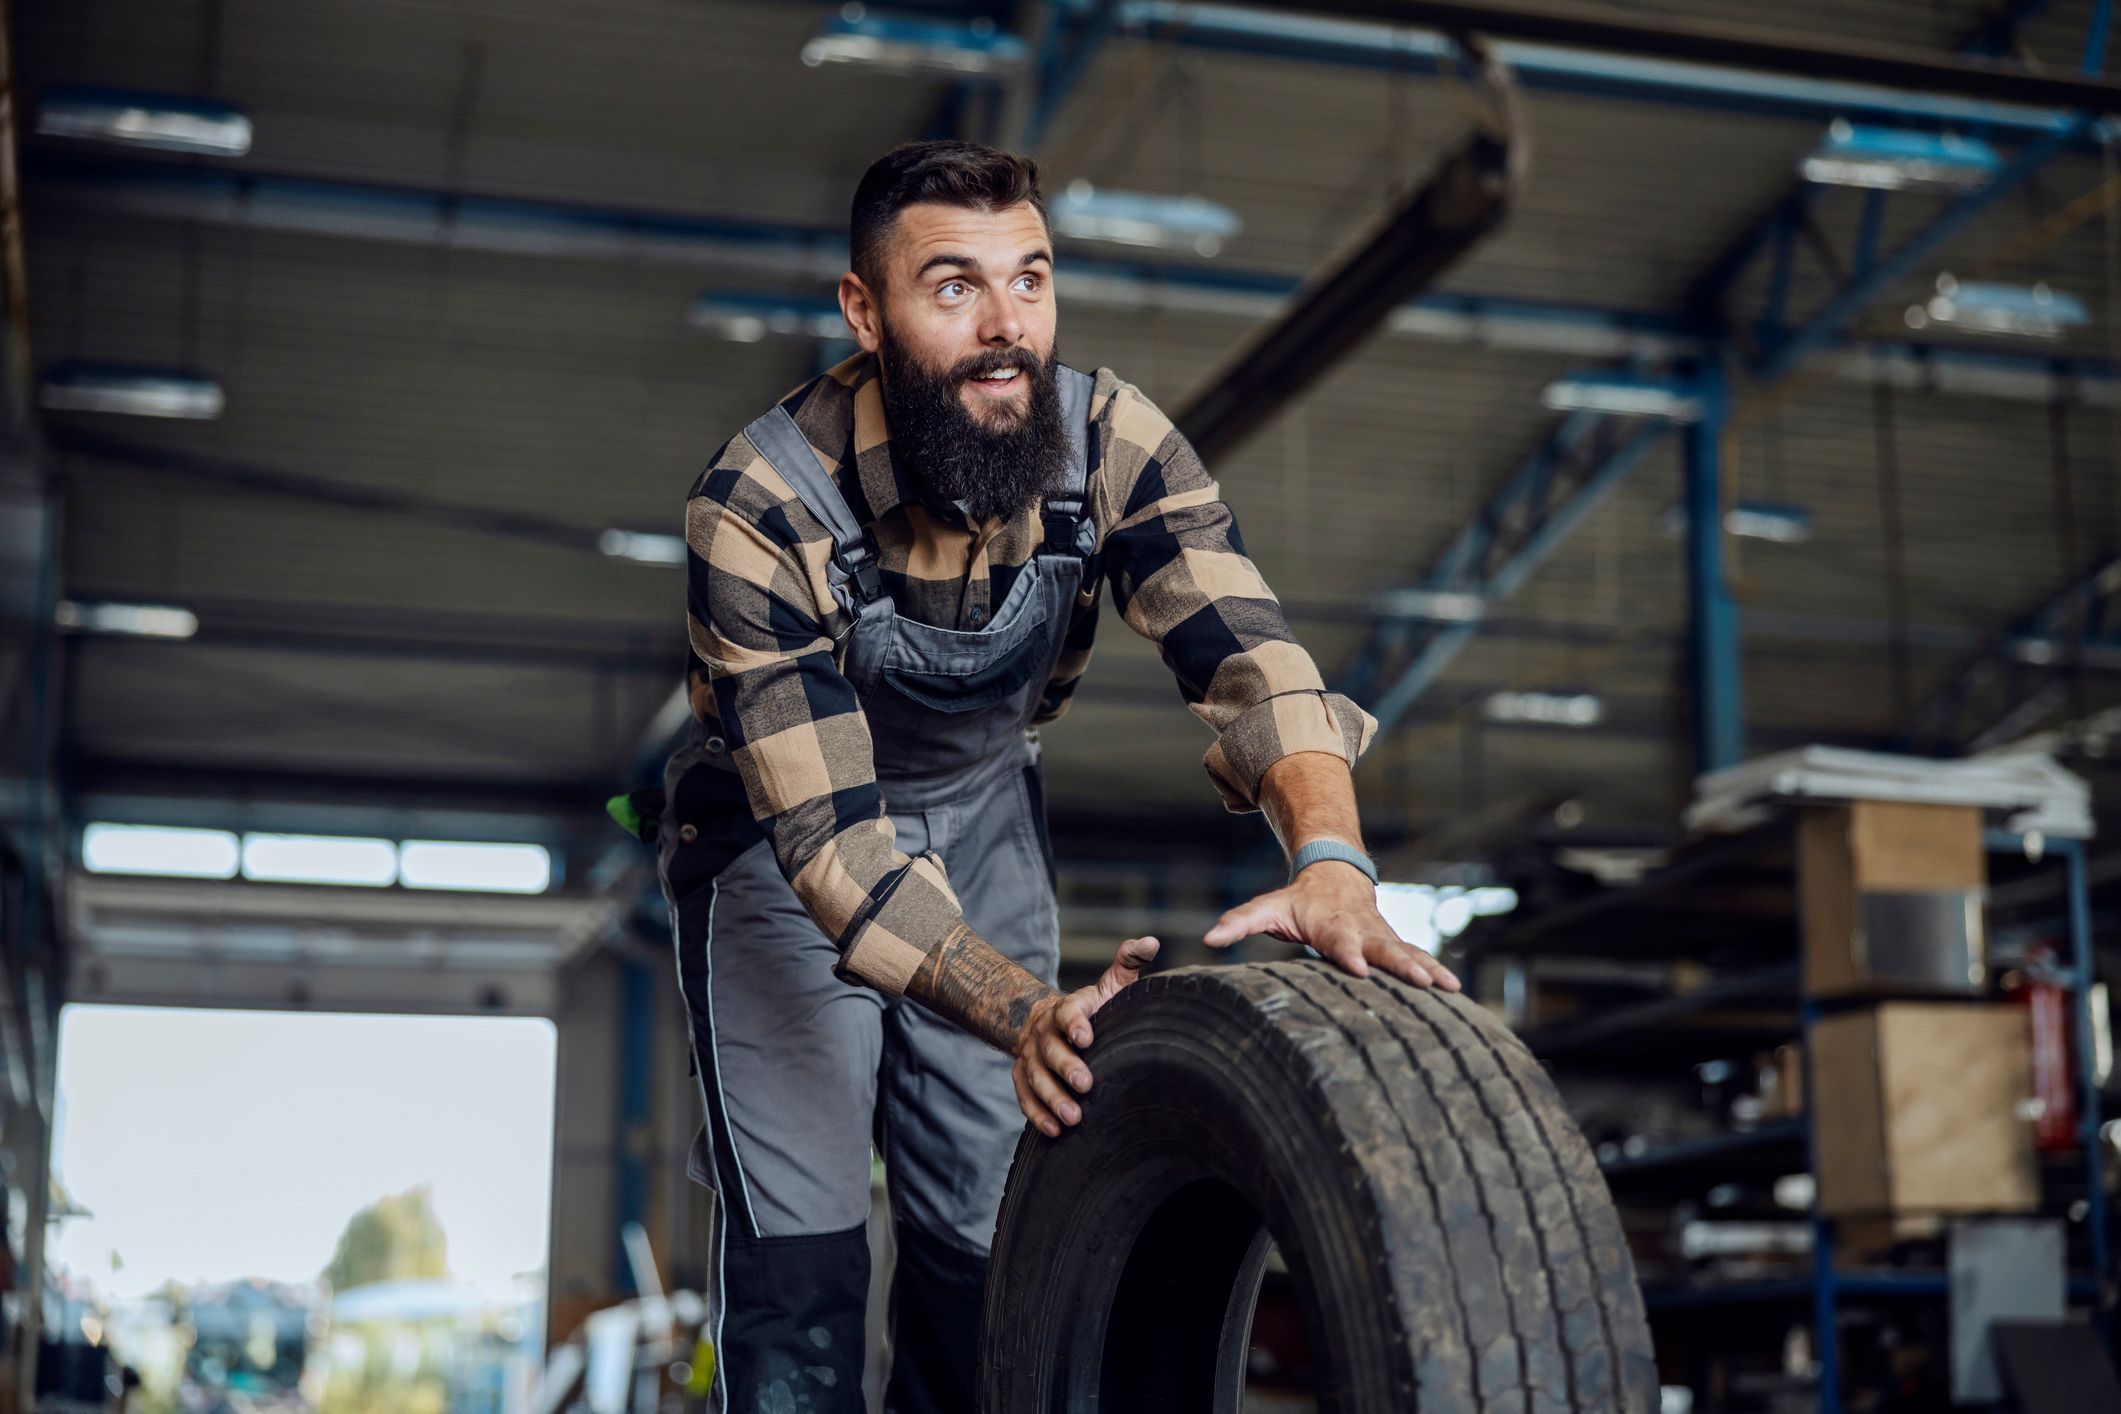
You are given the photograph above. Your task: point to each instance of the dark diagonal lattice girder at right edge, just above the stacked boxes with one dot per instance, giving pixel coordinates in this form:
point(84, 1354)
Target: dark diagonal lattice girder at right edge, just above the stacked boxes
point(2012, 686)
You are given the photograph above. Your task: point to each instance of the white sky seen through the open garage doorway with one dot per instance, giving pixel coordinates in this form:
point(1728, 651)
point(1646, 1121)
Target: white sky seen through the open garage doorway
point(217, 1146)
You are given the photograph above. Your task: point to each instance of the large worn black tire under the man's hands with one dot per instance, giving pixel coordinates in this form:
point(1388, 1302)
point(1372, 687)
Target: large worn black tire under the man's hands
point(1448, 1233)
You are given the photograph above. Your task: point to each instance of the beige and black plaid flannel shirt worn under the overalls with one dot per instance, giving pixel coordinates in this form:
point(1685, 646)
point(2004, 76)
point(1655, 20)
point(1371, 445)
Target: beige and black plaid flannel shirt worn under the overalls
point(767, 682)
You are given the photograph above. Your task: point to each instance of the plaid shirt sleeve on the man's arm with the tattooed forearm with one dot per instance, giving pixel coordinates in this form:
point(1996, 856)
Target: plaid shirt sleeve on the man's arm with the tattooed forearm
point(762, 622)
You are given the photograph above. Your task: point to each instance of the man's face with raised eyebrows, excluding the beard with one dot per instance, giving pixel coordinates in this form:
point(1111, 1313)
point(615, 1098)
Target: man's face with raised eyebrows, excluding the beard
point(968, 294)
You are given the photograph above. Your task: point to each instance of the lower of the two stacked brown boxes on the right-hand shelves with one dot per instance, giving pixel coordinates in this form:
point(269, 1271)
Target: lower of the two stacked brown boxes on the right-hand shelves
point(1921, 1110)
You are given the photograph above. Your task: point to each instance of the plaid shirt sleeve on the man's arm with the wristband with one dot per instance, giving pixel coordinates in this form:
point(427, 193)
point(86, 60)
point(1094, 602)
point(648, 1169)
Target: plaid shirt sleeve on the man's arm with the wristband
point(1182, 580)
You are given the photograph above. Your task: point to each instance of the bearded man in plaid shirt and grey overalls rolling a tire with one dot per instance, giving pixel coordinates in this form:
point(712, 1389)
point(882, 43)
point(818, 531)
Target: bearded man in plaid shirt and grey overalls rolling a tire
point(894, 584)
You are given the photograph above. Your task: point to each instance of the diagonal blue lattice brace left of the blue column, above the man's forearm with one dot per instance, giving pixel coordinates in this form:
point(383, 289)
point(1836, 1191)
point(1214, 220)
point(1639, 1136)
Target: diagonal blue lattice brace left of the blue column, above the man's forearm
point(1575, 467)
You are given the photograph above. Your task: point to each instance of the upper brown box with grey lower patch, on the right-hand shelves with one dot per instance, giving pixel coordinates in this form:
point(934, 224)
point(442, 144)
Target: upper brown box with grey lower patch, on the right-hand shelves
point(1891, 898)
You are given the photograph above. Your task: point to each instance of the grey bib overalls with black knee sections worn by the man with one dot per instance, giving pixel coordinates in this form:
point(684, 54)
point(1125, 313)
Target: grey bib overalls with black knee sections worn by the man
point(799, 1070)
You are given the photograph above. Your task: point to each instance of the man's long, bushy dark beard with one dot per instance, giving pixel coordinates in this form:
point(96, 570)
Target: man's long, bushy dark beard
point(992, 472)
